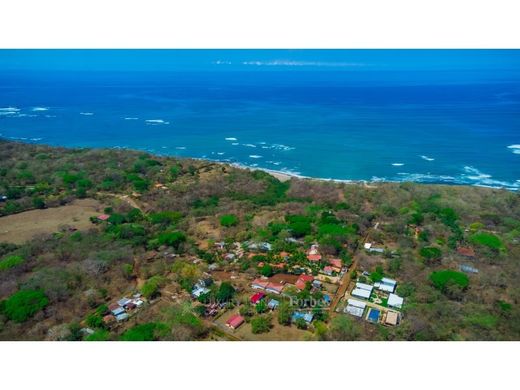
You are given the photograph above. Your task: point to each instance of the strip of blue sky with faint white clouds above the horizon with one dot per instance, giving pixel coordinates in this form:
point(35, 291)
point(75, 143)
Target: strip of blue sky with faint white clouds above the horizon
point(177, 60)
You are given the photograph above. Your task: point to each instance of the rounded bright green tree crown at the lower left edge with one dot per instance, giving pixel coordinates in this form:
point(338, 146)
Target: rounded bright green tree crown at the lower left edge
point(24, 304)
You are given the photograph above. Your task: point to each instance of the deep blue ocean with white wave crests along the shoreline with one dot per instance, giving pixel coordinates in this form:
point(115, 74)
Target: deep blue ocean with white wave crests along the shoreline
point(450, 126)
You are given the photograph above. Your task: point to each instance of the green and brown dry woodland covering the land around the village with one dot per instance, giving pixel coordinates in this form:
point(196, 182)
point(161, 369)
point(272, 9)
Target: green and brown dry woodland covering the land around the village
point(60, 282)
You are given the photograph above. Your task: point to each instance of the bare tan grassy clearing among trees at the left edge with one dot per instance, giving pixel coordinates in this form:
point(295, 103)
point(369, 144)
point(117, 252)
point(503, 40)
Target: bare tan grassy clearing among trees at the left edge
point(18, 228)
